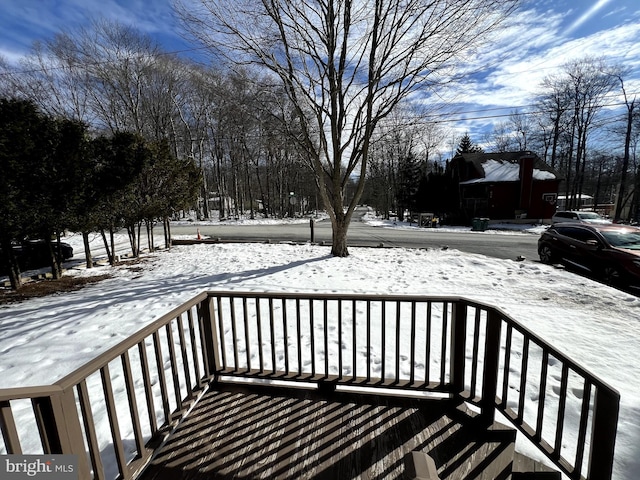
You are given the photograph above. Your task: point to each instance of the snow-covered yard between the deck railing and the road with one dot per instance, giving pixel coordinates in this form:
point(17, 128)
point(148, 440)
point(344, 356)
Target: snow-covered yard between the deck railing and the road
point(597, 326)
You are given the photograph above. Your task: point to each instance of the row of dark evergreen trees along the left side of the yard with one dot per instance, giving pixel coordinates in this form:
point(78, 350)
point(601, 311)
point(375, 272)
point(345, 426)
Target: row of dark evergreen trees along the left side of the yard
point(55, 177)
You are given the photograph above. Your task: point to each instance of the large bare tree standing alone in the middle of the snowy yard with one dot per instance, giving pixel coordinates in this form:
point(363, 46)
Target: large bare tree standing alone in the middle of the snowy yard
point(345, 66)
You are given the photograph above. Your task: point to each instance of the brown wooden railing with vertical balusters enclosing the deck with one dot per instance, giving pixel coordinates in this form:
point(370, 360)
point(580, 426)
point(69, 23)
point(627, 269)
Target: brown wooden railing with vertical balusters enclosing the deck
point(138, 389)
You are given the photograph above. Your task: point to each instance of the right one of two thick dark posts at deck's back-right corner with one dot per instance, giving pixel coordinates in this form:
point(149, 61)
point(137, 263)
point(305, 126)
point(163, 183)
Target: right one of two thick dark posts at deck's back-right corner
point(491, 365)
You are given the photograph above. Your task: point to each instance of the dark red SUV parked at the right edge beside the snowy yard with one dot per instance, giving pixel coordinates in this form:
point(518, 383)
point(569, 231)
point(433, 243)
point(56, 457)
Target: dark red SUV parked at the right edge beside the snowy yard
point(609, 252)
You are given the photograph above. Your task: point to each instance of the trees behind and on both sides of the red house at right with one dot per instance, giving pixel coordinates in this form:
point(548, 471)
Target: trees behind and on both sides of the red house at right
point(584, 122)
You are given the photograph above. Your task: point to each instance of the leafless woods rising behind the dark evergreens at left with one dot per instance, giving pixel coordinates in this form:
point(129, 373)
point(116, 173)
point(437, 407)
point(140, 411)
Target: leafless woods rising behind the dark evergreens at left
point(231, 124)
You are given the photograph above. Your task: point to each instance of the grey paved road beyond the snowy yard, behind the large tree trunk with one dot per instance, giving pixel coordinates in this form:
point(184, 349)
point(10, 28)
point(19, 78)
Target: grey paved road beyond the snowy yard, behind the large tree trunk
point(508, 246)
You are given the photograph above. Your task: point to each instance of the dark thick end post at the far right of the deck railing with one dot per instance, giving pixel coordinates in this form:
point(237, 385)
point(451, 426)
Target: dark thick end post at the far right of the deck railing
point(605, 424)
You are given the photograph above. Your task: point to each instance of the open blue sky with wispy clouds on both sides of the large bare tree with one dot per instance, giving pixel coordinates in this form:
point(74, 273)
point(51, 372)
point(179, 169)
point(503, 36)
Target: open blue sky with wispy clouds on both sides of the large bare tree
point(545, 34)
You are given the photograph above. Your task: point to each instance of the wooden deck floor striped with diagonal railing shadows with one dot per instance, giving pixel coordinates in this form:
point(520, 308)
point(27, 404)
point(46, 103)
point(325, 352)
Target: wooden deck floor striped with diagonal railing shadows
point(262, 432)
